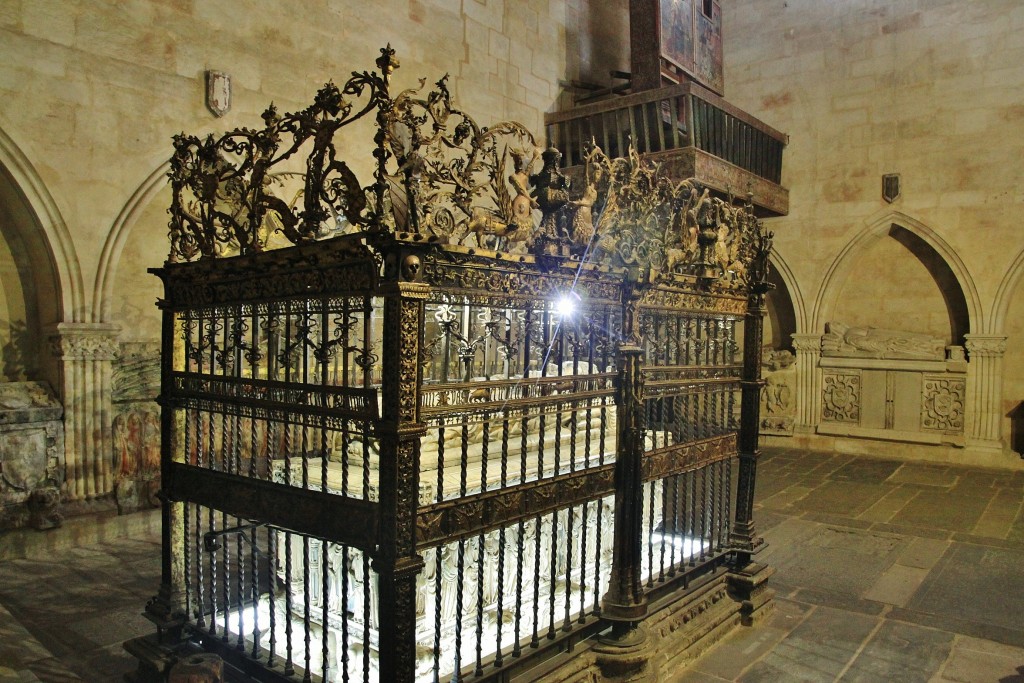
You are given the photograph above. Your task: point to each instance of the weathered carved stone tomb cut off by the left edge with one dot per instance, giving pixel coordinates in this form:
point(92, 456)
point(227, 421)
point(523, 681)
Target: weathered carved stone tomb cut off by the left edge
point(31, 456)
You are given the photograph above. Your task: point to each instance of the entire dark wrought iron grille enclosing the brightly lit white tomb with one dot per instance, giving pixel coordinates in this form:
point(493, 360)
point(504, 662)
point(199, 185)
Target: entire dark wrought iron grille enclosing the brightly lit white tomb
point(422, 448)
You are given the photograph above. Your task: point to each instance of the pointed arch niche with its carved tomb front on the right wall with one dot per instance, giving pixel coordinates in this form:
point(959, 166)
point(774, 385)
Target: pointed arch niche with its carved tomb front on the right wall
point(899, 275)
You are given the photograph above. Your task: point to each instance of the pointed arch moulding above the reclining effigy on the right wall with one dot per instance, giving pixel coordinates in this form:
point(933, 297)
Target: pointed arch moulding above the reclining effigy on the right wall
point(841, 269)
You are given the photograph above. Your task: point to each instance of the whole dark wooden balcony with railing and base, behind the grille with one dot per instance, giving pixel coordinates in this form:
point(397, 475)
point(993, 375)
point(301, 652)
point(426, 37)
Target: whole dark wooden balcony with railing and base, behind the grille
point(693, 133)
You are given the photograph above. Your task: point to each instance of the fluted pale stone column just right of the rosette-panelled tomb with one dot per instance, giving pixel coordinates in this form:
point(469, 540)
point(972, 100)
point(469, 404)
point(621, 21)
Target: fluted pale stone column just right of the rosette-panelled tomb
point(986, 391)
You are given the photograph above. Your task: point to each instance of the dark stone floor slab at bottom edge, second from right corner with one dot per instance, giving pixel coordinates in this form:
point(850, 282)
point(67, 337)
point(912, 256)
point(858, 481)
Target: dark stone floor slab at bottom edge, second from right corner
point(901, 653)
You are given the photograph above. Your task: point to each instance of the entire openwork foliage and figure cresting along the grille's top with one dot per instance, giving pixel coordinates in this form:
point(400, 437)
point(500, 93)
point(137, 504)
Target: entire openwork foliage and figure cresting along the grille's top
point(441, 178)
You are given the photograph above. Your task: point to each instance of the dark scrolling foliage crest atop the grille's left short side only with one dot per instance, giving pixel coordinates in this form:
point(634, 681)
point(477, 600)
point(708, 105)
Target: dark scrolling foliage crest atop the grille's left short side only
point(224, 188)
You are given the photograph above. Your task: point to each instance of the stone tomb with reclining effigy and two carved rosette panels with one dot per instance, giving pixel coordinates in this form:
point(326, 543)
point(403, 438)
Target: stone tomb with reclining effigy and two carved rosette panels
point(891, 385)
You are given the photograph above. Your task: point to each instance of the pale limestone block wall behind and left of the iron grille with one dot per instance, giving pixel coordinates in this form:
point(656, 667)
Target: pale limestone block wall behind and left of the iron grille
point(93, 93)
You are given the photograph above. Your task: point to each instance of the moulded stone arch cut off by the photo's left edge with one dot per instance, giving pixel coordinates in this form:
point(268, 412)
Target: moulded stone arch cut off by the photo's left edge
point(48, 237)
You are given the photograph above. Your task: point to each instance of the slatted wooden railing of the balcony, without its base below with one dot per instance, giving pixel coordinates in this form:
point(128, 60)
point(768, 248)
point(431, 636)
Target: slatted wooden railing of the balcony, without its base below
point(671, 118)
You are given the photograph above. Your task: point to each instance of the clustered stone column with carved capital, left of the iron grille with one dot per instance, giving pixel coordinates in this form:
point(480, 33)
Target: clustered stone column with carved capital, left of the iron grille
point(87, 353)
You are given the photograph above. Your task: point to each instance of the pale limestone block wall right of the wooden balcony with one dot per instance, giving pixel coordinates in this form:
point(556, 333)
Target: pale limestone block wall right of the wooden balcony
point(928, 91)
